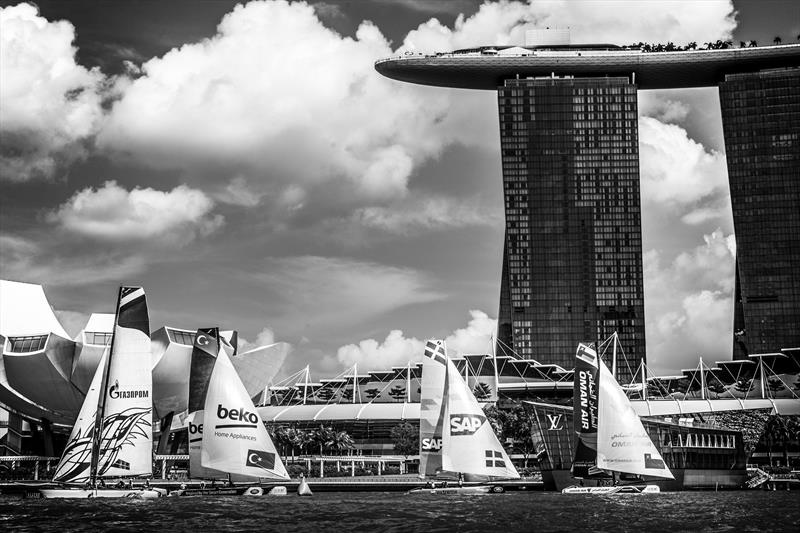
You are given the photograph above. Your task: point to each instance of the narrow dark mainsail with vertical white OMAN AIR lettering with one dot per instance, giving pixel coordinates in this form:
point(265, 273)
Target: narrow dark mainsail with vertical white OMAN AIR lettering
point(585, 411)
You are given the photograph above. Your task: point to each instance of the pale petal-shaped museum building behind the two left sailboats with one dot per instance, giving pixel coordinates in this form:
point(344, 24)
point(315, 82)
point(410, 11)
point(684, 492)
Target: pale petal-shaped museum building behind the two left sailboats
point(45, 373)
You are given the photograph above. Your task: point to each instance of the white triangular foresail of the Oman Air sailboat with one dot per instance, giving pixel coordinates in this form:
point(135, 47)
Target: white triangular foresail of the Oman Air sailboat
point(623, 444)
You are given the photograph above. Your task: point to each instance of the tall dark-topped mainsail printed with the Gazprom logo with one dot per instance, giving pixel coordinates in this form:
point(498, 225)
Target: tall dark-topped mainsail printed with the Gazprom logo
point(126, 446)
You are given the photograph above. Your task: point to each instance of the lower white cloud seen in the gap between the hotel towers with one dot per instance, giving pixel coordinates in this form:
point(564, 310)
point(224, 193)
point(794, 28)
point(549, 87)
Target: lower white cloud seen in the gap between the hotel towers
point(689, 304)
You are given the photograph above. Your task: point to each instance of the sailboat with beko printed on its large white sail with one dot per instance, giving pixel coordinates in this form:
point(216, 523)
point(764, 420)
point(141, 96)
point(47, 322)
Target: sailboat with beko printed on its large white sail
point(227, 439)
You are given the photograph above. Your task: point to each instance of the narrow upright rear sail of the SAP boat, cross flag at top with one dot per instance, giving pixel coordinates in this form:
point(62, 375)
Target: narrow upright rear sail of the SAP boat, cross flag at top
point(432, 408)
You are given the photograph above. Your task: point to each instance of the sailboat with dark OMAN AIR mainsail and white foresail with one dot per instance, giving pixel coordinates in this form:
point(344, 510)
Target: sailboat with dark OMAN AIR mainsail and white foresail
point(610, 436)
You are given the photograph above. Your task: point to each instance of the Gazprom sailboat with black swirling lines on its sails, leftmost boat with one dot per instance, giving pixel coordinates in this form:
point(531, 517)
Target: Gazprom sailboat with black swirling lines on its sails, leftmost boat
point(112, 437)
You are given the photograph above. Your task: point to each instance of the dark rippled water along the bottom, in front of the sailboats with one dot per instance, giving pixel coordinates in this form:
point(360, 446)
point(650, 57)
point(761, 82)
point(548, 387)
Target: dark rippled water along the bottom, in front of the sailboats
point(738, 511)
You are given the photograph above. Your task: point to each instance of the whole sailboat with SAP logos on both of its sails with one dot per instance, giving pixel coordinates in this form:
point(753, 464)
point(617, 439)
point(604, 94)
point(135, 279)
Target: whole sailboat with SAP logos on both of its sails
point(456, 440)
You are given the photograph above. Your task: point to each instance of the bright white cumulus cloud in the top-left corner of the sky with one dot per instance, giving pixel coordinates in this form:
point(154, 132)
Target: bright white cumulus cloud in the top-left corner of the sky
point(50, 104)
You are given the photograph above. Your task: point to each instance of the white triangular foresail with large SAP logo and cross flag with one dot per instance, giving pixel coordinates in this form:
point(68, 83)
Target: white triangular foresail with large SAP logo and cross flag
point(468, 442)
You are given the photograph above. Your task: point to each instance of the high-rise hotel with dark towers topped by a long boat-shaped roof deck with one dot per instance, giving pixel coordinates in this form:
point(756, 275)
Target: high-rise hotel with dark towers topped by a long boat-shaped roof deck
point(572, 260)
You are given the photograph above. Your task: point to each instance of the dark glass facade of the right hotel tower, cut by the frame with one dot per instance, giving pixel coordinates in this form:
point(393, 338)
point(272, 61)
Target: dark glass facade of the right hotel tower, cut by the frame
point(761, 122)
